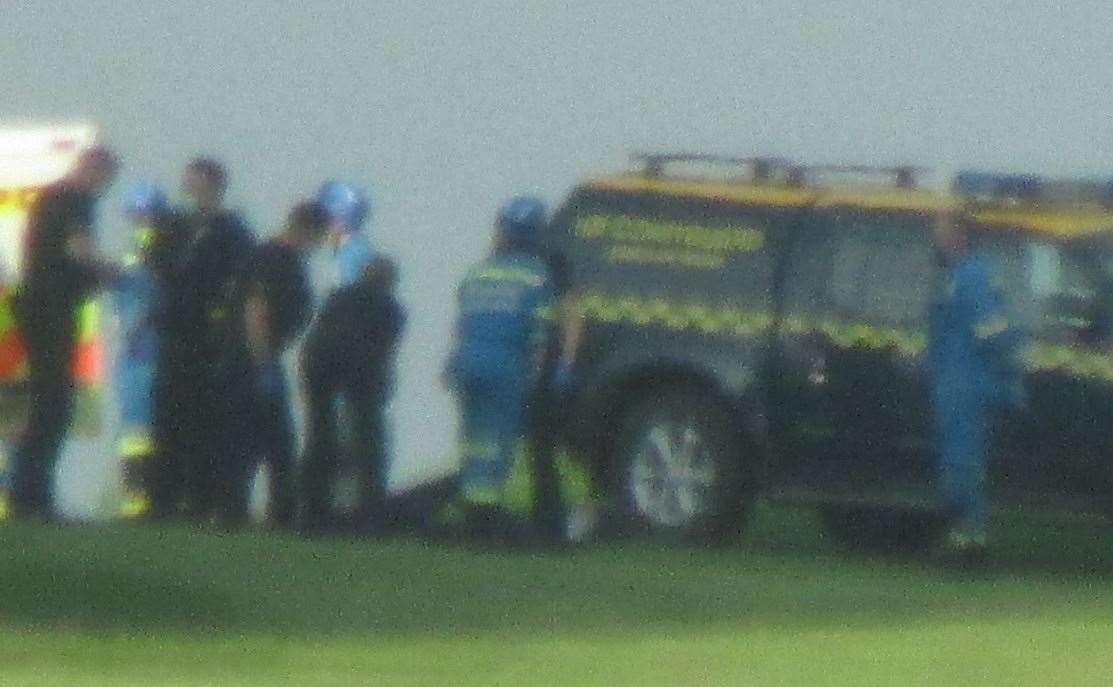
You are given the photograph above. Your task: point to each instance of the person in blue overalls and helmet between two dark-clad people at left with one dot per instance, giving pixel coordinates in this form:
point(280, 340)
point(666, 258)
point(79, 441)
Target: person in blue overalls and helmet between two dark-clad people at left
point(137, 301)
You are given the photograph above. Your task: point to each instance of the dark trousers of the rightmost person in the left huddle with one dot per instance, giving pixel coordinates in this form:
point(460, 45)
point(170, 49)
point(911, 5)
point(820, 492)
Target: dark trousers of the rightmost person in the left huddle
point(324, 456)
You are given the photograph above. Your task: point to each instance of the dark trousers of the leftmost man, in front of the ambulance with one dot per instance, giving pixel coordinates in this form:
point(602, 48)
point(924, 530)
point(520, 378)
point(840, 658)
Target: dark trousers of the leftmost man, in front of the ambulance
point(51, 346)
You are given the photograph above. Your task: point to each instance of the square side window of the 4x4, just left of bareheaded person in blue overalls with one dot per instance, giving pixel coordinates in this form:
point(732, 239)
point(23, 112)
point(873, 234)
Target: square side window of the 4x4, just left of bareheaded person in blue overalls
point(882, 274)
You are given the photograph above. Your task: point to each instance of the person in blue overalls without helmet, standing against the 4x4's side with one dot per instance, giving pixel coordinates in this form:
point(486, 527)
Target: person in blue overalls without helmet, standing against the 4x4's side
point(972, 358)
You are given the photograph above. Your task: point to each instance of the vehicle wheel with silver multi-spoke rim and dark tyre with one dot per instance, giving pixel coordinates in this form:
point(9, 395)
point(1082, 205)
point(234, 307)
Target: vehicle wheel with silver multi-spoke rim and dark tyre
point(682, 470)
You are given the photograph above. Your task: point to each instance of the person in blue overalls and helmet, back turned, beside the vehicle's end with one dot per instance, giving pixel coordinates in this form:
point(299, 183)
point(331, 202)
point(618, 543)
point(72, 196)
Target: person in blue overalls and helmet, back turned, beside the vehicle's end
point(504, 326)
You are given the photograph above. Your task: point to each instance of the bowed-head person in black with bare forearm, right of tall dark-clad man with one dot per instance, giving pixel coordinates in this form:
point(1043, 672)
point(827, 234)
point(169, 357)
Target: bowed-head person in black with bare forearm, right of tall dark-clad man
point(273, 307)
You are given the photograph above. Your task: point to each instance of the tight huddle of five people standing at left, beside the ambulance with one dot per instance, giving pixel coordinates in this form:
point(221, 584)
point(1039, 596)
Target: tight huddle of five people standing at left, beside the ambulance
point(206, 316)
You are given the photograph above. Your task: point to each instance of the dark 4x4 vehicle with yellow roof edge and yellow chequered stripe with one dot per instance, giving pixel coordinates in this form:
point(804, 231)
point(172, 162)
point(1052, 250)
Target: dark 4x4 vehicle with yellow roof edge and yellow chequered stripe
point(764, 335)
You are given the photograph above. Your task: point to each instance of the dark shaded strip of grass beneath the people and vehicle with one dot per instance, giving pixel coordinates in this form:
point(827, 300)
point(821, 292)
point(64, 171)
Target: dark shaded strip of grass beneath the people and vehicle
point(786, 574)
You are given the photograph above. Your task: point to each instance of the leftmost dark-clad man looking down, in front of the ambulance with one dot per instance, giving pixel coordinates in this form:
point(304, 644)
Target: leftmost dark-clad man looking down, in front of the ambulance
point(62, 271)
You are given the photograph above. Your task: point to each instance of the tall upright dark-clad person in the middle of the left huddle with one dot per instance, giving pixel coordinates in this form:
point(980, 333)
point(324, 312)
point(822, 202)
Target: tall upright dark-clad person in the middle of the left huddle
point(204, 264)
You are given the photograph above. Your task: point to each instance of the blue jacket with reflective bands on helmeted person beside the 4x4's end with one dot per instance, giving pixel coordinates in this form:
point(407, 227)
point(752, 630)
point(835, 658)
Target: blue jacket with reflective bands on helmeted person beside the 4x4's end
point(506, 312)
